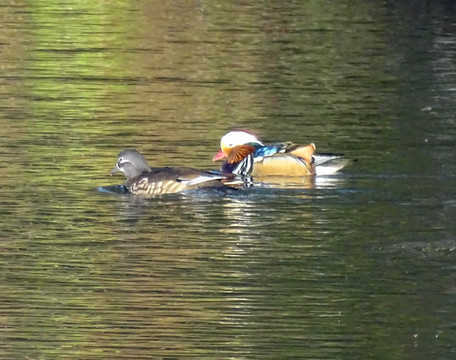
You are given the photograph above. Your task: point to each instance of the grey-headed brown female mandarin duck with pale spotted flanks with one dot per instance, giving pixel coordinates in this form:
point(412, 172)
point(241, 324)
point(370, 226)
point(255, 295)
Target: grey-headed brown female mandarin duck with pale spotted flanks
point(148, 182)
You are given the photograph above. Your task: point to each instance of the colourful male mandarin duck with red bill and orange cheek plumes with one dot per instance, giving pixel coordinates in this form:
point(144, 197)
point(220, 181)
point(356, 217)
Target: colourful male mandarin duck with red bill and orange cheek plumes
point(246, 154)
